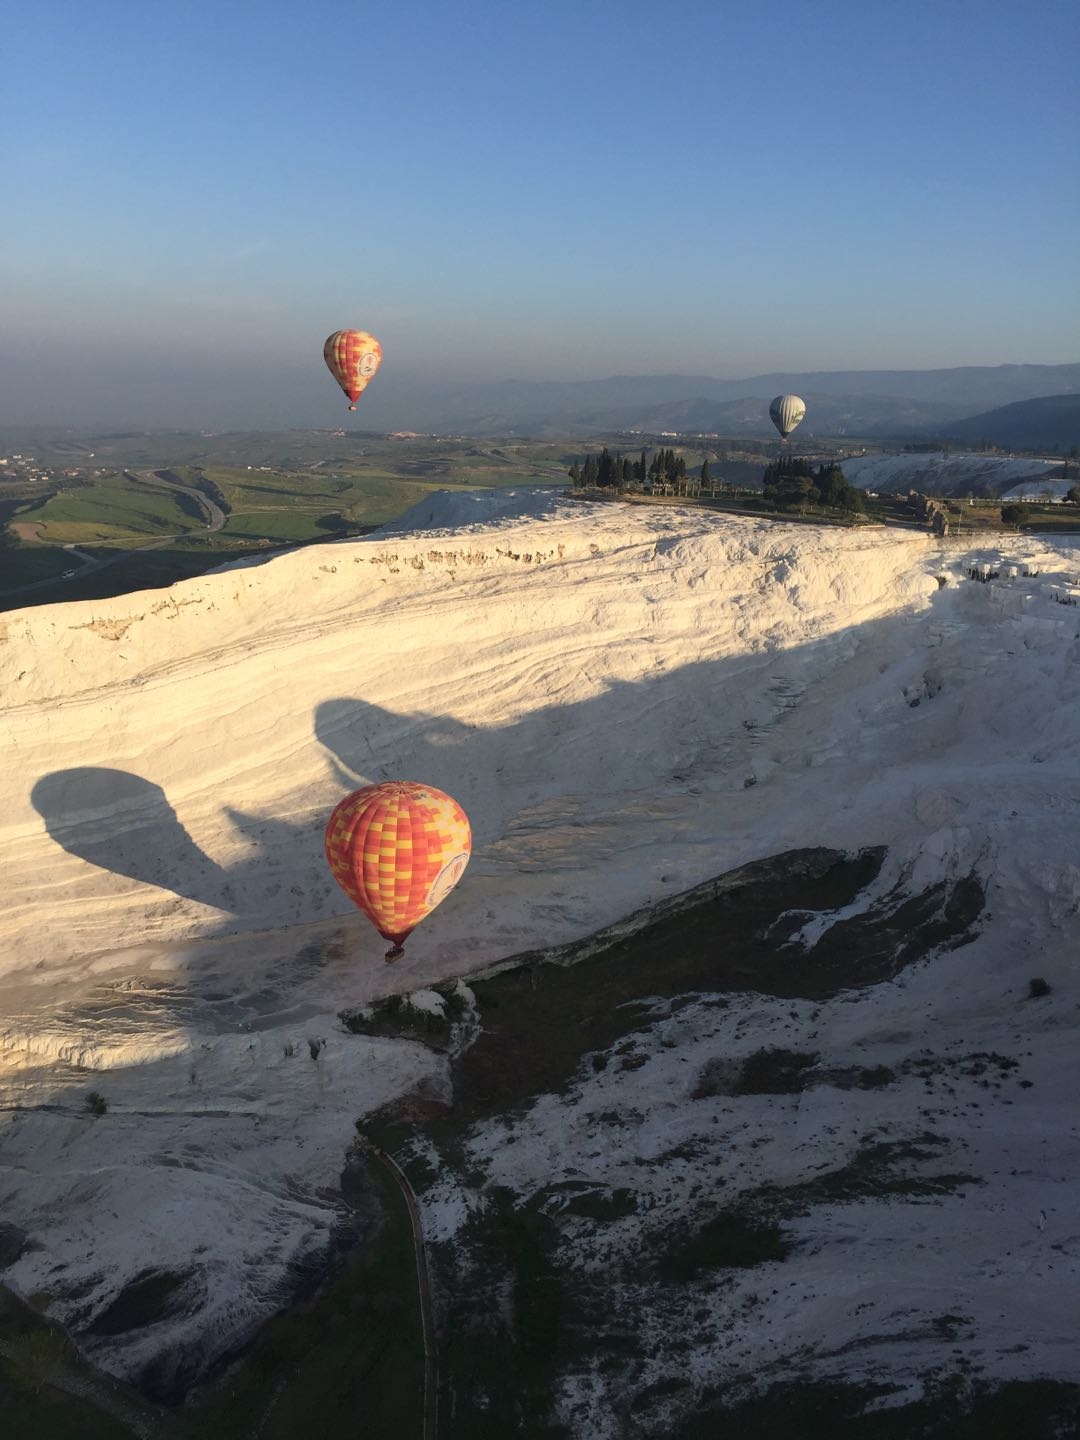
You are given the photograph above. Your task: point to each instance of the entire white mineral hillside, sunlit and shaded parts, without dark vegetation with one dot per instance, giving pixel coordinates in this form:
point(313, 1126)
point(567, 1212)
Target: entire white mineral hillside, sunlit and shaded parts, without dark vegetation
point(630, 702)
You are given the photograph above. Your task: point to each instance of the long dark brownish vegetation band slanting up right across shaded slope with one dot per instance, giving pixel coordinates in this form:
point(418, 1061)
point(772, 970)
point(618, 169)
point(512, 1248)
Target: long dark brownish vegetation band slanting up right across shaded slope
point(542, 1017)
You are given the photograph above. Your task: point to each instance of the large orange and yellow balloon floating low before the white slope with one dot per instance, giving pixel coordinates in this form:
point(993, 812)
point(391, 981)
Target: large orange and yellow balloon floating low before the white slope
point(398, 850)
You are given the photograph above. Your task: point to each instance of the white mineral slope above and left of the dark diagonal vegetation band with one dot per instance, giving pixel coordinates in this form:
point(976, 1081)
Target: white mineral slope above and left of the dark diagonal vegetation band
point(626, 699)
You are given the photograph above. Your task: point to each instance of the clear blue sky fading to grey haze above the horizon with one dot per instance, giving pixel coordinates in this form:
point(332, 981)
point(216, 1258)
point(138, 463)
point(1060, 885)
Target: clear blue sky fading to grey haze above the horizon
point(198, 194)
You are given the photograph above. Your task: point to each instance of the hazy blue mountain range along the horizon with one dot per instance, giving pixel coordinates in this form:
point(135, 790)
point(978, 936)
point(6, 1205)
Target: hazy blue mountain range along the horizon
point(840, 402)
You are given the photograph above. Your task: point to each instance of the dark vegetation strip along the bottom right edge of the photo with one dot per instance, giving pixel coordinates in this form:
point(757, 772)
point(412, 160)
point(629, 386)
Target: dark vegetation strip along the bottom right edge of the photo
point(954, 1410)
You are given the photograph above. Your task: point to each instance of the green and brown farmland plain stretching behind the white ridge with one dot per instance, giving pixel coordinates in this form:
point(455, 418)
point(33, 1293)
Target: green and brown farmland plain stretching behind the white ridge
point(100, 516)
